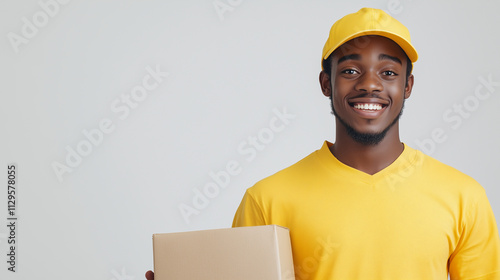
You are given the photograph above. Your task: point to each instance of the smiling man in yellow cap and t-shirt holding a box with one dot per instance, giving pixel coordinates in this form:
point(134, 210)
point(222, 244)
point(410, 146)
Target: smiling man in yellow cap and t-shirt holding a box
point(369, 206)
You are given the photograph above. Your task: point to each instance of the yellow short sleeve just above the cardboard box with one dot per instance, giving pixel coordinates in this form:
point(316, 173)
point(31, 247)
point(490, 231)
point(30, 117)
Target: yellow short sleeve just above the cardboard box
point(249, 213)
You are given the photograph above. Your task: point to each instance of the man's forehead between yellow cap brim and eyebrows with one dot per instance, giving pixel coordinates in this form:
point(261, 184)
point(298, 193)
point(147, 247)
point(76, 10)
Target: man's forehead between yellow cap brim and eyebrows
point(370, 44)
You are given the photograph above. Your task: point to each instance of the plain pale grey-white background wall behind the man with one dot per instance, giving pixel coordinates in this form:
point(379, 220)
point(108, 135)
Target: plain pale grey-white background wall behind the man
point(228, 71)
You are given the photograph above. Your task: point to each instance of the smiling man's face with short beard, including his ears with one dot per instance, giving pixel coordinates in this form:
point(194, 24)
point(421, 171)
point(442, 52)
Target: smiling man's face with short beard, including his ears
point(368, 86)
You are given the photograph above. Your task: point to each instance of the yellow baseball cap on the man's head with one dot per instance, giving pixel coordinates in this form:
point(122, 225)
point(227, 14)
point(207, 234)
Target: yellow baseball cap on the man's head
point(369, 21)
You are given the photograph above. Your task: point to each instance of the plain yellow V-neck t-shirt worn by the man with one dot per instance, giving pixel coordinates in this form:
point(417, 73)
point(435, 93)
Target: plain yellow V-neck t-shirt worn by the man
point(416, 219)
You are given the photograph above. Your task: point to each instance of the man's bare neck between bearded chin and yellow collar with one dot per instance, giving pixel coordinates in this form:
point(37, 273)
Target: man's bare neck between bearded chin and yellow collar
point(367, 158)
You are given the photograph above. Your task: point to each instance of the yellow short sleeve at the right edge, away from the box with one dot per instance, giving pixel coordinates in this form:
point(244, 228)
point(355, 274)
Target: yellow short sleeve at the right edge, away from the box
point(477, 255)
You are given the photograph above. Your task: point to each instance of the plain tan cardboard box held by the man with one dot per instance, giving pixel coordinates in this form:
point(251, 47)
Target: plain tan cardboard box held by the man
point(243, 253)
